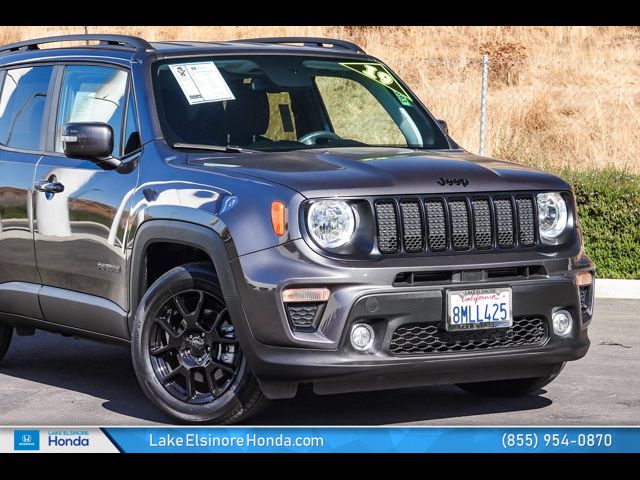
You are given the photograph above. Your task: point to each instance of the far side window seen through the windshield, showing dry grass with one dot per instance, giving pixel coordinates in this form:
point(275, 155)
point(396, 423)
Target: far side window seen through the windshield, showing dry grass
point(362, 118)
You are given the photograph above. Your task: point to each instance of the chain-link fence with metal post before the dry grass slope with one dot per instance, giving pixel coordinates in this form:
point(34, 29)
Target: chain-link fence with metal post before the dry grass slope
point(546, 114)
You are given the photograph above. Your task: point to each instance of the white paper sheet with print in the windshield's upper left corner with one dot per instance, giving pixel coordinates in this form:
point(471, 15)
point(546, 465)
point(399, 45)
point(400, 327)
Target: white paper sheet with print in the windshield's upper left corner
point(201, 82)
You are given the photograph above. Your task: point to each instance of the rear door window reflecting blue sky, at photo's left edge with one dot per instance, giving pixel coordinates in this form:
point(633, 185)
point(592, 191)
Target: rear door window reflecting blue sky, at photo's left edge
point(22, 102)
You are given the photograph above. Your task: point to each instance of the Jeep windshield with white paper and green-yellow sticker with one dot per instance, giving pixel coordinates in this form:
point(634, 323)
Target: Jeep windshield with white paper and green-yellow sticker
point(280, 103)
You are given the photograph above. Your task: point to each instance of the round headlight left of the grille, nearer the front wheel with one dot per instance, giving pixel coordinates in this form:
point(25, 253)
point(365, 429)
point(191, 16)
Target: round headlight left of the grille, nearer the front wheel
point(331, 223)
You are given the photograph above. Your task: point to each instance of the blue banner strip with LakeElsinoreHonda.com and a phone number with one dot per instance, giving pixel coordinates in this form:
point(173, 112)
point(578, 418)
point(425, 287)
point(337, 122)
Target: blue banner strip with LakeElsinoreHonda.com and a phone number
point(376, 439)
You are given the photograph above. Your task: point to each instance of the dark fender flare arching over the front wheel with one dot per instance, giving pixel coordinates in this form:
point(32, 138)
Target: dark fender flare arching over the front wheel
point(184, 233)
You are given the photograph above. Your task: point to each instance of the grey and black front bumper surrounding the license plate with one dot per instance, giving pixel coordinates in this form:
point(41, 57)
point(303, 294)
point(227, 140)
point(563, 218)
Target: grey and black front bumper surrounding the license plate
point(282, 358)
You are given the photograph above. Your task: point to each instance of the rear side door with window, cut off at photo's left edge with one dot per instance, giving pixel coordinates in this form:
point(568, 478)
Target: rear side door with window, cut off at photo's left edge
point(24, 98)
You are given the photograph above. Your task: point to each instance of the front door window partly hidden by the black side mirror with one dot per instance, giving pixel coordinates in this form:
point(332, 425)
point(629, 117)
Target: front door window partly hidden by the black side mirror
point(92, 93)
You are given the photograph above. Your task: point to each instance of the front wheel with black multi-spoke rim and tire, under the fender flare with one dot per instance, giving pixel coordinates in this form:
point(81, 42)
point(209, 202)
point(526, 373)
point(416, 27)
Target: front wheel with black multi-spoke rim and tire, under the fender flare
point(190, 375)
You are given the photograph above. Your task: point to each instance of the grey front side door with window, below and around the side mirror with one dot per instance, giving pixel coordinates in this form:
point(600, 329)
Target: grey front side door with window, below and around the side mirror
point(79, 231)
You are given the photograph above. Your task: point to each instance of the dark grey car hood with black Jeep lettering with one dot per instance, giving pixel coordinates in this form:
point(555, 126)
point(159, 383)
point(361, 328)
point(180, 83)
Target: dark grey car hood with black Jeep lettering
point(380, 171)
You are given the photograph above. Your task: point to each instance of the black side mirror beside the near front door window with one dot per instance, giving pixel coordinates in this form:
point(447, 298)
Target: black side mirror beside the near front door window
point(90, 141)
